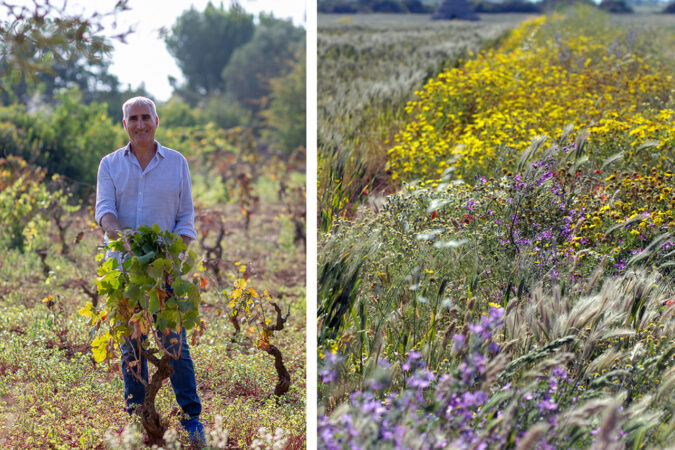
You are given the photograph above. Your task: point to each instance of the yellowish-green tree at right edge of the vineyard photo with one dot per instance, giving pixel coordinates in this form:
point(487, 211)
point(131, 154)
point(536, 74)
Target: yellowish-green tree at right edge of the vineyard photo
point(285, 117)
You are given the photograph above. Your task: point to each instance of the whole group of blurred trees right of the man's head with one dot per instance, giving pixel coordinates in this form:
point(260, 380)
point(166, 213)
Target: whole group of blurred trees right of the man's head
point(238, 71)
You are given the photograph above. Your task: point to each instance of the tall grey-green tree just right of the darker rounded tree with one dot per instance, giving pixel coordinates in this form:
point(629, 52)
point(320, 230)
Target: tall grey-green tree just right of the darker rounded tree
point(266, 56)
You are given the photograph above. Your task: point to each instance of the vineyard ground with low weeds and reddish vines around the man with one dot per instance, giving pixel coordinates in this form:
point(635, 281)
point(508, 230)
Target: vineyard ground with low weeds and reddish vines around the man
point(250, 227)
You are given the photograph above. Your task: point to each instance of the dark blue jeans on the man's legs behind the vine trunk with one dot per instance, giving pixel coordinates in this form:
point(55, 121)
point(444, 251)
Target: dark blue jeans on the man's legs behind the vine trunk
point(183, 378)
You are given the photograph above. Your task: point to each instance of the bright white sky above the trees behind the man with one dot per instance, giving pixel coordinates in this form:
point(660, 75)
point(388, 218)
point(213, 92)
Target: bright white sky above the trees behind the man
point(144, 58)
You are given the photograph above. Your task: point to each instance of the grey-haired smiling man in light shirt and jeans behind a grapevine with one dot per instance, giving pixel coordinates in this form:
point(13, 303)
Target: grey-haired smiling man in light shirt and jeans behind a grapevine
point(144, 183)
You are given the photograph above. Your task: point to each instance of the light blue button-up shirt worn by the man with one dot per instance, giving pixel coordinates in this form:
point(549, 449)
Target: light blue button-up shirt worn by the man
point(161, 194)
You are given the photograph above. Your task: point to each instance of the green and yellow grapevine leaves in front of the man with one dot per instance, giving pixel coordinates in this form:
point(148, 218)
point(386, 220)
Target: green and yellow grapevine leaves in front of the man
point(143, 291)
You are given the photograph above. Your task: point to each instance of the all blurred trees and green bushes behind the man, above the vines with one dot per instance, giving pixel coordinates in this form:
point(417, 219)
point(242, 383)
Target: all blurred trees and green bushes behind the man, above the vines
point(60, 107)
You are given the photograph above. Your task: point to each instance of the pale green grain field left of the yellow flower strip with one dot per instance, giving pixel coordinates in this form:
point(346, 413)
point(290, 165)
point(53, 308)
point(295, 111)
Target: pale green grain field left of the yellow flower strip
point(366, 74)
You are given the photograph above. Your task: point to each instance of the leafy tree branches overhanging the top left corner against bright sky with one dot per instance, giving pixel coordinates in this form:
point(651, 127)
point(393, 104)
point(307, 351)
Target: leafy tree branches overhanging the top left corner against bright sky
point(33, 39)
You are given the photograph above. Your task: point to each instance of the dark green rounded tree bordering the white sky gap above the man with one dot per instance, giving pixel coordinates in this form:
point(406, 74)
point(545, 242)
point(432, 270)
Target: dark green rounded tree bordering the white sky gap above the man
point(203, 44)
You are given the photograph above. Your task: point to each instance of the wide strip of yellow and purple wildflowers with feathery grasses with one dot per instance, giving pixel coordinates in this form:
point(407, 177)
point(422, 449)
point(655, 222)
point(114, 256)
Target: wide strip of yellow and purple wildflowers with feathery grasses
point(510, 283)
